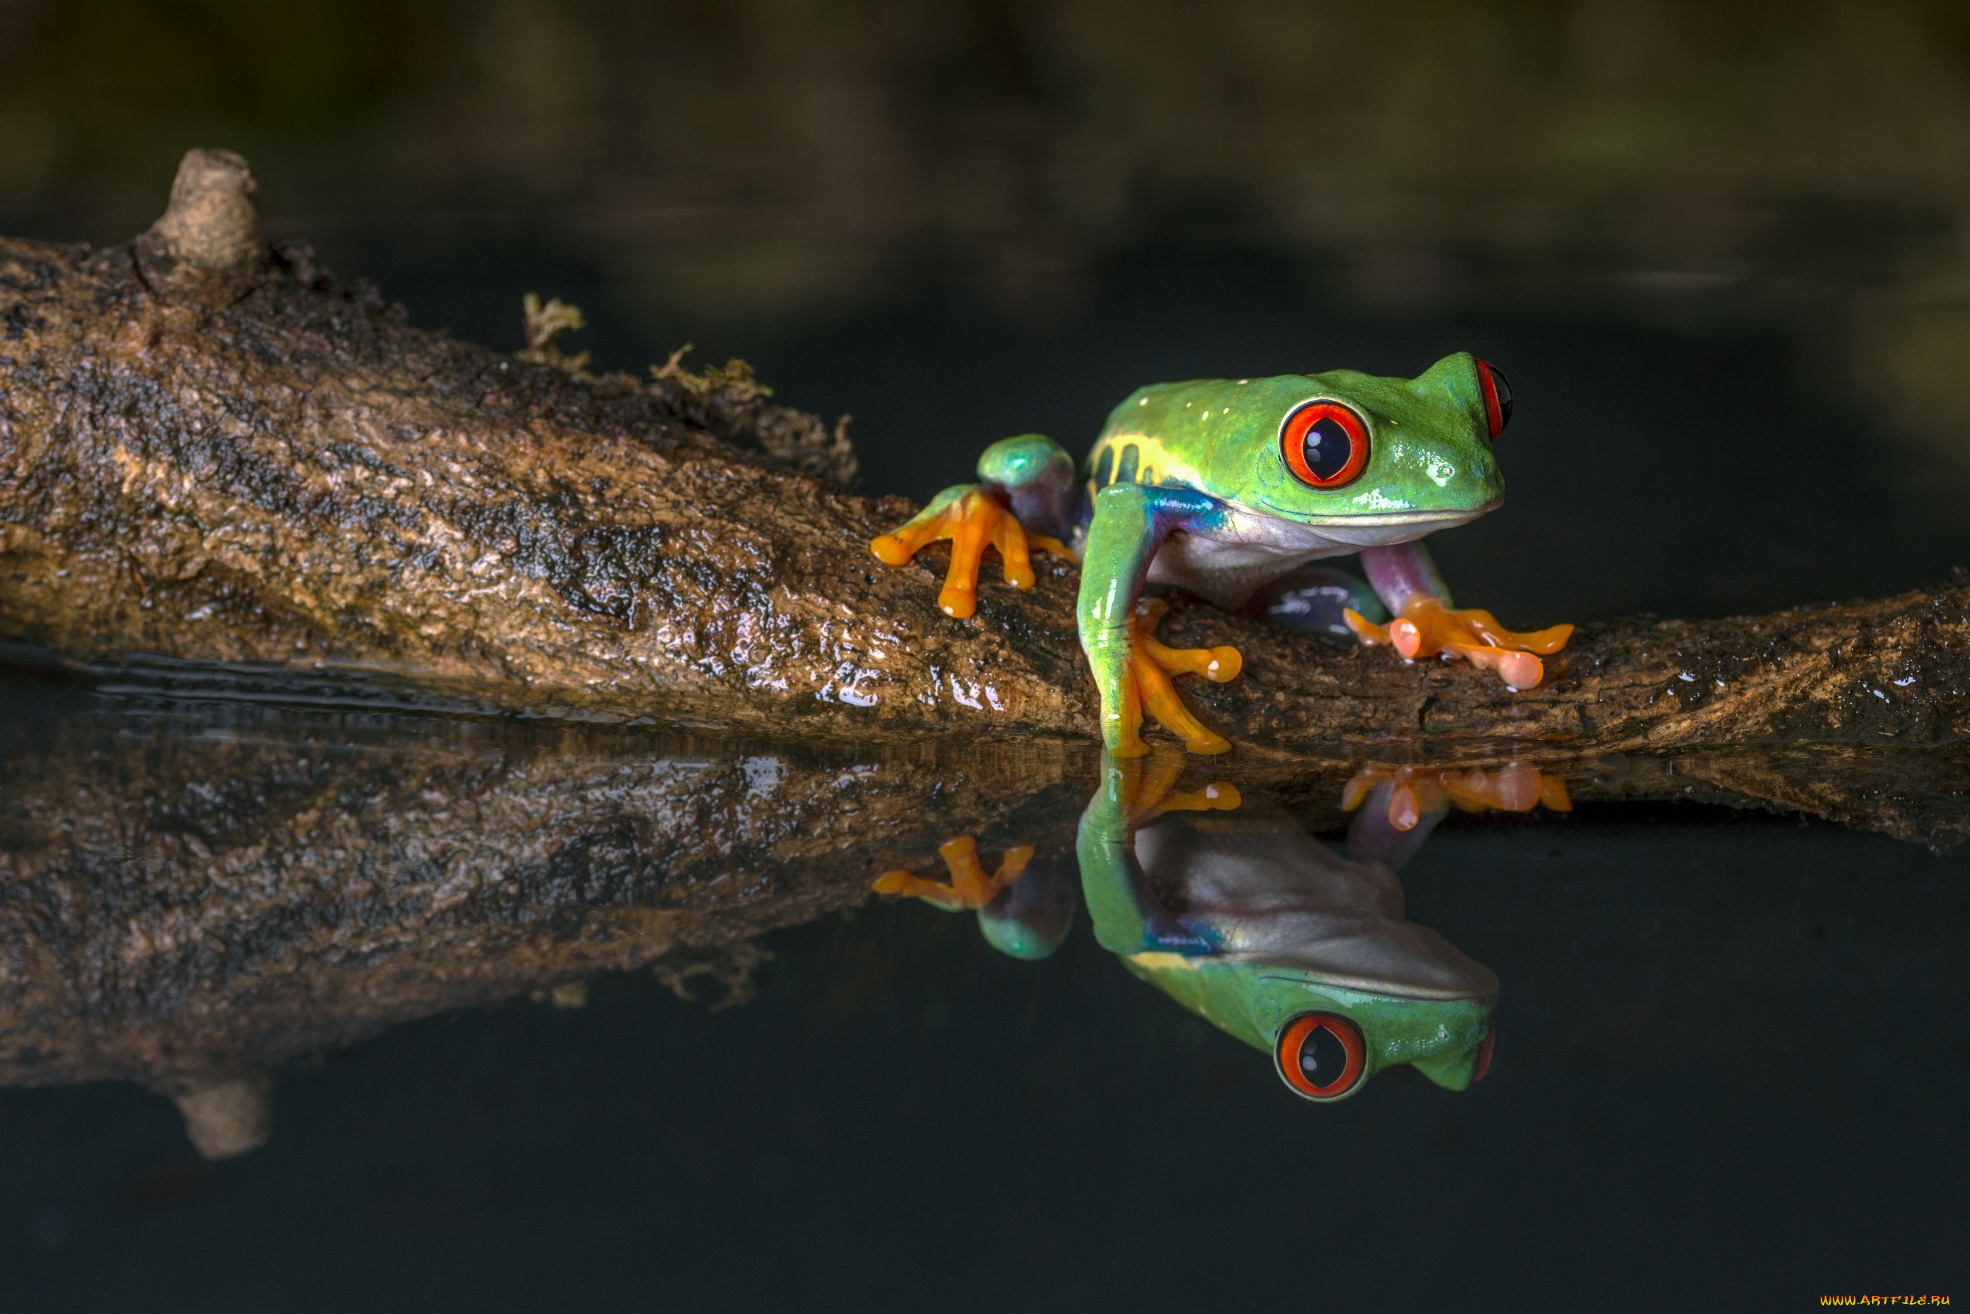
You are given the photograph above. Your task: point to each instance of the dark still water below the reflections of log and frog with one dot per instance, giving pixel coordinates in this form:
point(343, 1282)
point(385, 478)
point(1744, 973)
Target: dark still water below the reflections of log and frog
point(1733, 1073)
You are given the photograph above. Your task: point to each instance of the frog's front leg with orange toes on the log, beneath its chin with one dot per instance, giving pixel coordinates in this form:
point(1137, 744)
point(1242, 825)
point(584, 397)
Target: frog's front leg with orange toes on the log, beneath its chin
point(1427, 624)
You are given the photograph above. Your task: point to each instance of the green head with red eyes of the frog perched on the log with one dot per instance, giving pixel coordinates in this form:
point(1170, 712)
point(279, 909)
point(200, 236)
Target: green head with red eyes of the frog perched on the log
point(1346, 446)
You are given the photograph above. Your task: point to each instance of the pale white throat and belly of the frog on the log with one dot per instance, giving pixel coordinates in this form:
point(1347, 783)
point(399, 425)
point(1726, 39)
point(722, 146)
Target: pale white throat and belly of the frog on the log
point(1228, 562)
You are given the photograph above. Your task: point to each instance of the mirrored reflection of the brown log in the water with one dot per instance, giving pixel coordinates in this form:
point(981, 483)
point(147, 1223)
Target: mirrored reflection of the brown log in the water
point(196, 907)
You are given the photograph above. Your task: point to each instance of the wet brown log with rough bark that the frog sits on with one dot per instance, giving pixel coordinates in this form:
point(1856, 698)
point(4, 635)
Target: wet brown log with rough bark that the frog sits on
point(214, 450)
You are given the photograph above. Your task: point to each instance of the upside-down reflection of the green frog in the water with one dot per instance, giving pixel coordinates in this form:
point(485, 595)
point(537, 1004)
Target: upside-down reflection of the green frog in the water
point(1280, 941)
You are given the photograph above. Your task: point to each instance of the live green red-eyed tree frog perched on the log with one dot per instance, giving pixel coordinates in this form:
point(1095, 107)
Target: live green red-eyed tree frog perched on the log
point(1222, 488)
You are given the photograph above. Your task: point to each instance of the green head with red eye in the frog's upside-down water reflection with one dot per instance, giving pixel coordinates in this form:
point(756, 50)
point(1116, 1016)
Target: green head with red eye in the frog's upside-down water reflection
point(1329, 1039)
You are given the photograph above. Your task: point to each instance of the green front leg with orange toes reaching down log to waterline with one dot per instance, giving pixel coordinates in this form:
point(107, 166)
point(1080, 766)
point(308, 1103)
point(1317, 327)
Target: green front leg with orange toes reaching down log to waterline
point(1130, 665)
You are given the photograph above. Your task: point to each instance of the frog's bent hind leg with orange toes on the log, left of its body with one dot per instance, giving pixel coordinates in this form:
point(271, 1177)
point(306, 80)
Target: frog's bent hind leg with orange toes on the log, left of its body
point(1027, 484)
